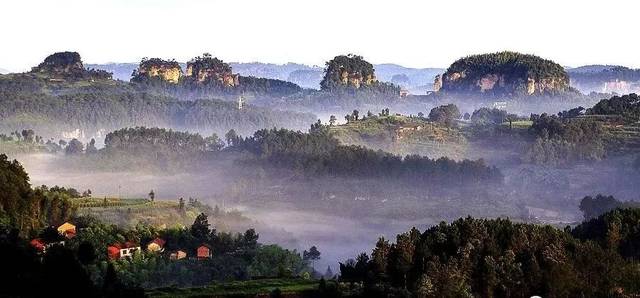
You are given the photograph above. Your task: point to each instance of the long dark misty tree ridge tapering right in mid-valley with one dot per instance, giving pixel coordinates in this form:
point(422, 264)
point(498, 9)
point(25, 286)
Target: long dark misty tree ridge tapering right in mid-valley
point(318, 153)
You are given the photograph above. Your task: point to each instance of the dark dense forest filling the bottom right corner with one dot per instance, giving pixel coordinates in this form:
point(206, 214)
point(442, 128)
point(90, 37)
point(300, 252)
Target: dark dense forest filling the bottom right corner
point(499, 258)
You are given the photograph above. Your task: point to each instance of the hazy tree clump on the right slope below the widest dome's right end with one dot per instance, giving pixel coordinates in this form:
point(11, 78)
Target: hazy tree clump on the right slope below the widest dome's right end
point(563, 141)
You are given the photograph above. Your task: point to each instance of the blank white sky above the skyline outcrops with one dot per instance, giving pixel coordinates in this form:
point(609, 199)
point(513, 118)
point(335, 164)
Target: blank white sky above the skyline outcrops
point(409, 33)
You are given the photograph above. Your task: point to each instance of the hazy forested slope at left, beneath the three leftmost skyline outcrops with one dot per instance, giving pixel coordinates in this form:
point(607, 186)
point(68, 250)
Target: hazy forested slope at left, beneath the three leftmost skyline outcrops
point(90, 109)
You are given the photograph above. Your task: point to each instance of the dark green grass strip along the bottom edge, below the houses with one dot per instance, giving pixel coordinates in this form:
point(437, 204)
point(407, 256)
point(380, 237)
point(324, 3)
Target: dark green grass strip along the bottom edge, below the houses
point(249, 288)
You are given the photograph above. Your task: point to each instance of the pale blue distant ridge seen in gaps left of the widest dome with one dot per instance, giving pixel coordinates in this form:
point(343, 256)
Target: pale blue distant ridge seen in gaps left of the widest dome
point(303, 75)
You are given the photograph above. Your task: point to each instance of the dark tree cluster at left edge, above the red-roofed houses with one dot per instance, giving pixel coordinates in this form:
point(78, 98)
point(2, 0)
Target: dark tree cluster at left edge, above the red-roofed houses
point(26, 208)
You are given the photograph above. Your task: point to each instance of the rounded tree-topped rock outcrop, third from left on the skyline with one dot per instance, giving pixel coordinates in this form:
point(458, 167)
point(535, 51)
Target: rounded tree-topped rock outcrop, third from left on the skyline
point(207, 69)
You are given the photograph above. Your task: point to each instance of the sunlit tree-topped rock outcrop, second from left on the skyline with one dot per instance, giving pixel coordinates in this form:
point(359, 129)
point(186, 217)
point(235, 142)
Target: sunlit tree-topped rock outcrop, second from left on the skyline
point(159, 69)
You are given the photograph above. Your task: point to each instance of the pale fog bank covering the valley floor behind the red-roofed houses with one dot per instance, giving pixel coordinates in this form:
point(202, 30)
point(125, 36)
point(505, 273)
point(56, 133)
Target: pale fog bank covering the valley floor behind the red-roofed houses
point(535, 193)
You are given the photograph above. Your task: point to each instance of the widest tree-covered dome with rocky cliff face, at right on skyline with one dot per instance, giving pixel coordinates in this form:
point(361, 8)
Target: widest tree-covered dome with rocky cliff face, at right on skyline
point(503, 74)
